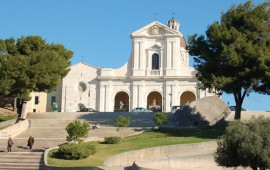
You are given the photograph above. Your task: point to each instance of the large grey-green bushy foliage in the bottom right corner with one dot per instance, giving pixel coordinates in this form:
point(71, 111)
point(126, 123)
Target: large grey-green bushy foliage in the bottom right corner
point(245, 144)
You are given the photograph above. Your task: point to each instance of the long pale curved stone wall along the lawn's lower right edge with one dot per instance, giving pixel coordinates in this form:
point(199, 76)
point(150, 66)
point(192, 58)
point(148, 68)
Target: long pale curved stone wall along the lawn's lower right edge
point(128, 158)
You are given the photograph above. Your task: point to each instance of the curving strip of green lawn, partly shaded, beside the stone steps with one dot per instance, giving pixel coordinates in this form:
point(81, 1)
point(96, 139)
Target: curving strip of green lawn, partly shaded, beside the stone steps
point(141, 141)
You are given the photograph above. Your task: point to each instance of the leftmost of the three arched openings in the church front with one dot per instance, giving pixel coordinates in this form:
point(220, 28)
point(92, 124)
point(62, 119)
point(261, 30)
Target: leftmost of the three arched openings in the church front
point(121, 102)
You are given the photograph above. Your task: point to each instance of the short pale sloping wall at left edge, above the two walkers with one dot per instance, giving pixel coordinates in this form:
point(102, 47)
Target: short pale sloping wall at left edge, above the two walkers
point(14, 129)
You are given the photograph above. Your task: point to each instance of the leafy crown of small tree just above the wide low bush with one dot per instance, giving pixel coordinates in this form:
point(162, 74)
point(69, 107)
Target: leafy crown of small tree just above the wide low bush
point(77, 130)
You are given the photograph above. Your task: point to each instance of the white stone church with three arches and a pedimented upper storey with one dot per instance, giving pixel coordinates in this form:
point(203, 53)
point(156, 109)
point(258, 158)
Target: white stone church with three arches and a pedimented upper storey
point(157, 73)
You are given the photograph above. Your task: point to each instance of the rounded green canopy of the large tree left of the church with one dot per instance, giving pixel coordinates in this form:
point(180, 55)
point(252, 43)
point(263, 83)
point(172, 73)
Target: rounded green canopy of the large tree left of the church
point(30, 64)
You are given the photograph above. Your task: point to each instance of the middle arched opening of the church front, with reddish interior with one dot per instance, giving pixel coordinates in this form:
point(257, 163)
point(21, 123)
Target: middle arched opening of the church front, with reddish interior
point(154, 101)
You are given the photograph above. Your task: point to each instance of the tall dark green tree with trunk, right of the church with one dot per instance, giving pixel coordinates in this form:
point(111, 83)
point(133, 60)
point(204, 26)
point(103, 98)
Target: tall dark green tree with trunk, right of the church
point(234, 54)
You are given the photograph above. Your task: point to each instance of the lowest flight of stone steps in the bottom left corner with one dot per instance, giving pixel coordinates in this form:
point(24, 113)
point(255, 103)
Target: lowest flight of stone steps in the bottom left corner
point(21, 160)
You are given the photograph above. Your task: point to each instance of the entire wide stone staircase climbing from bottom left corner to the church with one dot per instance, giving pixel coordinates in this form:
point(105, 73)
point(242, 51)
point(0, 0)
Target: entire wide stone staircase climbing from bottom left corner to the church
point(48, 129)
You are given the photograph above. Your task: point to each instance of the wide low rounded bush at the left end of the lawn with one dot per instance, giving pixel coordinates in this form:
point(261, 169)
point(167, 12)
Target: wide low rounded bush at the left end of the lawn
point(76, 151)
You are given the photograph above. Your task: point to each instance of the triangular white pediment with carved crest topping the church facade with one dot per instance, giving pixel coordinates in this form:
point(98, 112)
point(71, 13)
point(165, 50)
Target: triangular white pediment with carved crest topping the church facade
point(154, 29)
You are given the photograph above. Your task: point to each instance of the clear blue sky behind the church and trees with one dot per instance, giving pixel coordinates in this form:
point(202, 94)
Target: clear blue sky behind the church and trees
point(97, 31)
